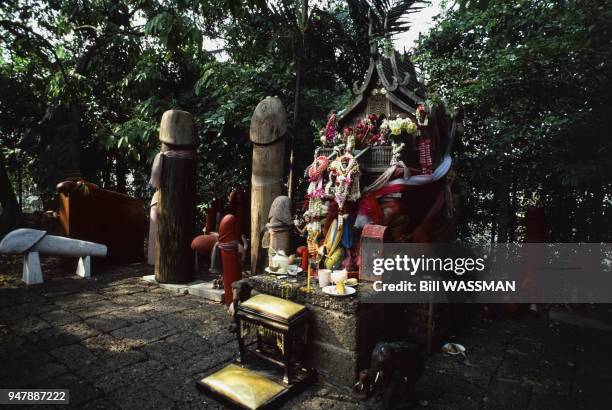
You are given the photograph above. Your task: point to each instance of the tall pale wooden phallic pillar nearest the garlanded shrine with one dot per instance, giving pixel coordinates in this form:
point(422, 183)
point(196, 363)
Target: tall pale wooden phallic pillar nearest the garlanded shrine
point(268, 128)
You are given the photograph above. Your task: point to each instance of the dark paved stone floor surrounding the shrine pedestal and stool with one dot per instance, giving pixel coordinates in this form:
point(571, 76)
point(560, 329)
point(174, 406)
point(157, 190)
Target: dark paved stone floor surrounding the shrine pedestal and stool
point(118, 342)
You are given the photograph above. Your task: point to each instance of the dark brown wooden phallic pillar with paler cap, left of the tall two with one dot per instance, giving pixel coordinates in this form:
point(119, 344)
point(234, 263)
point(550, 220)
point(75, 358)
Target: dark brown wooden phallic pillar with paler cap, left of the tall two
point(174, 175)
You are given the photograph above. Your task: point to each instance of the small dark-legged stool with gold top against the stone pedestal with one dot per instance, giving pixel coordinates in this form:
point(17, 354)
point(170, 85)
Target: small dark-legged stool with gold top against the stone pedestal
point(281, 320)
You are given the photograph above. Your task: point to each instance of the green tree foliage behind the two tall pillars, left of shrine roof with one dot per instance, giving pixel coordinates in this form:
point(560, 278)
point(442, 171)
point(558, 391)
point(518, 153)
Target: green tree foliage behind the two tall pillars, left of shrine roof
point(121, 64)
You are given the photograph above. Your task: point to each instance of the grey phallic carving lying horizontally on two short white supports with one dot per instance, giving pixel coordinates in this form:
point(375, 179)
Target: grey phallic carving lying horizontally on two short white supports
point(32, 242)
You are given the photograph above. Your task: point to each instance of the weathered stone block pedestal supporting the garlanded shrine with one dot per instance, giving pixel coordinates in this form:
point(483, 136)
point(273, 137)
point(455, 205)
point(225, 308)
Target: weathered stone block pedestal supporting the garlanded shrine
point(346, 329)
